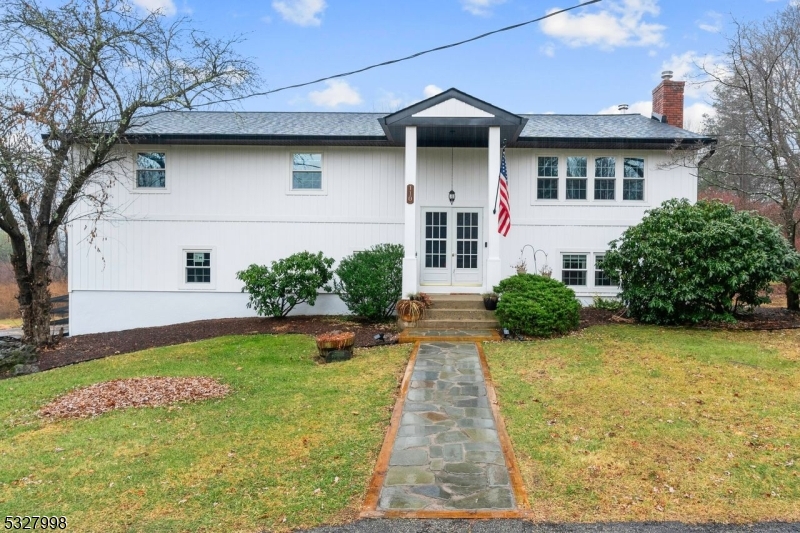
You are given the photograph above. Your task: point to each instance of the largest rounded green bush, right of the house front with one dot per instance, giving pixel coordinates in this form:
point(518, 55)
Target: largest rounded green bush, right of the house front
point(687, 263)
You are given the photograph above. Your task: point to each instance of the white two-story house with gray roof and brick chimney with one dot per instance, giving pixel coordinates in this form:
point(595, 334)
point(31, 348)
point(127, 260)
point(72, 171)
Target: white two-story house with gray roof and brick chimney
point(205, 194)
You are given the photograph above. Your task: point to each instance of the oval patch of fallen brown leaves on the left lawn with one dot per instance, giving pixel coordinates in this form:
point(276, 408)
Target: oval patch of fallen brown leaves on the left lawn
point(135, 392)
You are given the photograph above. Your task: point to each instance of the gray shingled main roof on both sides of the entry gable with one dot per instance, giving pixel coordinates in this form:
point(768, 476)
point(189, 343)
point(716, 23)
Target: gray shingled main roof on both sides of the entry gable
point(290, 124)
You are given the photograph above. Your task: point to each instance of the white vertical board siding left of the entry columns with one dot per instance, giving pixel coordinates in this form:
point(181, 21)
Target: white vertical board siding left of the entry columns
point(236, 201)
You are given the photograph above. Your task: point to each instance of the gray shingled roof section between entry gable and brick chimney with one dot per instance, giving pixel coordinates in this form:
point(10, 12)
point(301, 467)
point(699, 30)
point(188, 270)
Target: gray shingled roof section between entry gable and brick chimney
point(629, 126)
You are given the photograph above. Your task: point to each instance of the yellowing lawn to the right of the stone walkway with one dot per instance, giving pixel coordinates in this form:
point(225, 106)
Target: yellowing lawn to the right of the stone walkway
point(619, 423)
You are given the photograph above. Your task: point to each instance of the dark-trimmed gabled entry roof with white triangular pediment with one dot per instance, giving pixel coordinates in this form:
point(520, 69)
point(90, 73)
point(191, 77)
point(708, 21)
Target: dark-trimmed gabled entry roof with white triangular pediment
point(452, 118)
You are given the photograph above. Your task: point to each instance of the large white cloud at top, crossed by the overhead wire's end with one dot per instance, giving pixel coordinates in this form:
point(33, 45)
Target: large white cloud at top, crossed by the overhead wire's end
point(621, 23)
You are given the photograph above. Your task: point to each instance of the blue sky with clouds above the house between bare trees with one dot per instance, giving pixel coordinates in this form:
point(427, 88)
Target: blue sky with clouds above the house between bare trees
point(587, 61)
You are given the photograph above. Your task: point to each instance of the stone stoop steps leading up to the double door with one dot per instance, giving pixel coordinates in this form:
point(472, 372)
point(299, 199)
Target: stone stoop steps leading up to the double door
point(454, 317)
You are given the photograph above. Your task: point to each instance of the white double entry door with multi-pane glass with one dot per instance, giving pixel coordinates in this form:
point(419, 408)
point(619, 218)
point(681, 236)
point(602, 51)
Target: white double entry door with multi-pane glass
point(451, 244)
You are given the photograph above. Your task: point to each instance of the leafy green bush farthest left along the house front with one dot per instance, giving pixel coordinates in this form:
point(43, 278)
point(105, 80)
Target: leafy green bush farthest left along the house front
point(275, 291)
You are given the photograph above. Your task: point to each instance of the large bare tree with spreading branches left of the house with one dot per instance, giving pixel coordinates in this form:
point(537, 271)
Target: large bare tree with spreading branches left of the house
point(73, 80)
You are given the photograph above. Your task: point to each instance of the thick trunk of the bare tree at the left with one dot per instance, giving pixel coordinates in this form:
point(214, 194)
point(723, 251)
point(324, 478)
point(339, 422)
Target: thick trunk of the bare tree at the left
point(34, 298)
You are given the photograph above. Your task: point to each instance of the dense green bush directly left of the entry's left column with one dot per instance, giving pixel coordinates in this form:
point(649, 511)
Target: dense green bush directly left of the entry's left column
point(371, 282)
